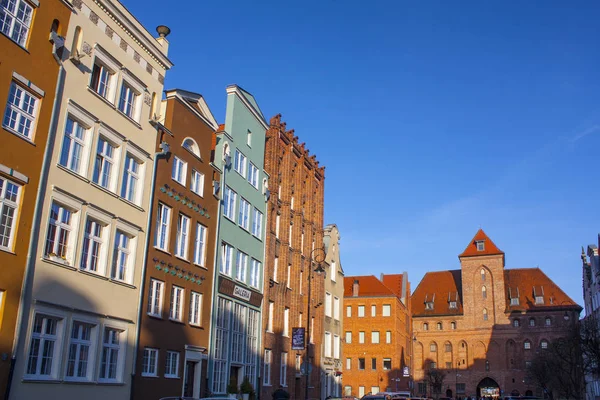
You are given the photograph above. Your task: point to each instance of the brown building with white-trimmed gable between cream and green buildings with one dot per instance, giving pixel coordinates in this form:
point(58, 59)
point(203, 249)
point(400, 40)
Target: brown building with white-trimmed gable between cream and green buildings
point(176, 308)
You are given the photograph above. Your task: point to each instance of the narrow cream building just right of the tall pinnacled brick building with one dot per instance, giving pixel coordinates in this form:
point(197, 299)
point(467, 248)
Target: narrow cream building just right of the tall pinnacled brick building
point(331, 360)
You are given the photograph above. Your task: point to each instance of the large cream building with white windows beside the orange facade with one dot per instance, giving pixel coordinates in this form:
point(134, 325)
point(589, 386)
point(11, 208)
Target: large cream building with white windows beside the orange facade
point(78, 329)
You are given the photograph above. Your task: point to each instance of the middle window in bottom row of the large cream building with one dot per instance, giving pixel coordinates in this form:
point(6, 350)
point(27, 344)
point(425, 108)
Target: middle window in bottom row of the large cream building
point(79, 351)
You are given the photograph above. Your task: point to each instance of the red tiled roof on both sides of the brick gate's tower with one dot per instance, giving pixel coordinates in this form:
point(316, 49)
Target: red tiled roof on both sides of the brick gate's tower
point(521, 282)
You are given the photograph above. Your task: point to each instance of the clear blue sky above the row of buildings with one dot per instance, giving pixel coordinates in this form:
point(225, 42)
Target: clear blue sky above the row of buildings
point(433, 118)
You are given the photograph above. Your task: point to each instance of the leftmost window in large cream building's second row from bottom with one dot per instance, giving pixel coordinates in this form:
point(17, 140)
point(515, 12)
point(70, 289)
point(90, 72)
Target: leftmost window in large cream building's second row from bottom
point(58, 238)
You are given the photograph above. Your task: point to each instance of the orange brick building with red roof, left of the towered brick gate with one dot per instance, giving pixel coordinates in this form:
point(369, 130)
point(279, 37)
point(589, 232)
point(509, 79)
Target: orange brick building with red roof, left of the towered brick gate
point(377, 334)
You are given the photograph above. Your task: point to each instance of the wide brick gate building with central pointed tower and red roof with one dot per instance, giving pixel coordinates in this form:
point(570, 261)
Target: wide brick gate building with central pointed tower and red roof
point(483, 323)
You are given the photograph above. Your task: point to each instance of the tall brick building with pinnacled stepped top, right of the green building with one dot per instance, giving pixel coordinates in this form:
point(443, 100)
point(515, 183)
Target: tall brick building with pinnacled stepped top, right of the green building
point(294, 237)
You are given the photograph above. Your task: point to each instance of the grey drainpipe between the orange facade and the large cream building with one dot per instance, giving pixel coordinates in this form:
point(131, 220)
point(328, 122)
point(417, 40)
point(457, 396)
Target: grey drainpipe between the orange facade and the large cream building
point(35, 223)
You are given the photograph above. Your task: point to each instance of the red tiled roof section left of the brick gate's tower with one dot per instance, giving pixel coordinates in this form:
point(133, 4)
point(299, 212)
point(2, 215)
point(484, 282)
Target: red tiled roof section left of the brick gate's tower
point(441, 287)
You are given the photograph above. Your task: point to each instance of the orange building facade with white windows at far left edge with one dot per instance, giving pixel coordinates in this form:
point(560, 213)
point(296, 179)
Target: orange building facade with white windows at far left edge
point(30, 61)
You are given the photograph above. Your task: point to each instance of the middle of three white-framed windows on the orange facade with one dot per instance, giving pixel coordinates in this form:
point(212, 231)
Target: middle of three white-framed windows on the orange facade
point(21, 108)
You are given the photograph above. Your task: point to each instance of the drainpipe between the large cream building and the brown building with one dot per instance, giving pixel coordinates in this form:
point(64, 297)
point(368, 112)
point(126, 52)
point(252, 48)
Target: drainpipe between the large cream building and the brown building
point(164, 146)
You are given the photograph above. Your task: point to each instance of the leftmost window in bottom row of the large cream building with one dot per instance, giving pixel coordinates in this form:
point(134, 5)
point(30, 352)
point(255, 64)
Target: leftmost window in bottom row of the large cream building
point(43, 348)
